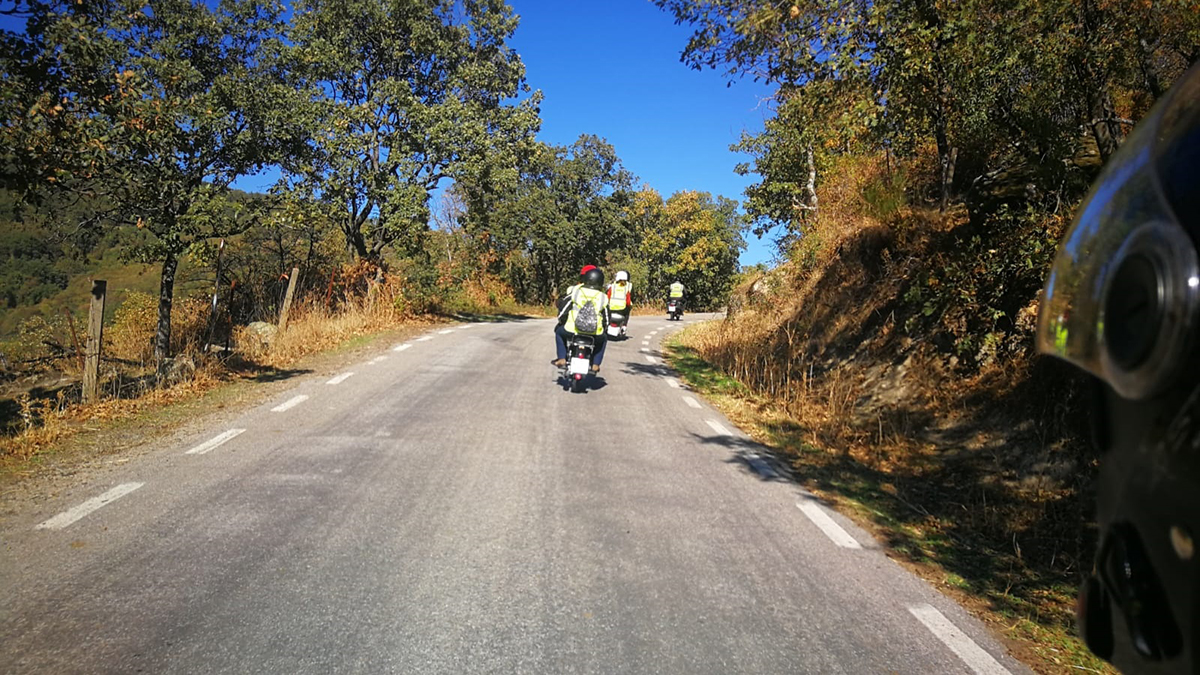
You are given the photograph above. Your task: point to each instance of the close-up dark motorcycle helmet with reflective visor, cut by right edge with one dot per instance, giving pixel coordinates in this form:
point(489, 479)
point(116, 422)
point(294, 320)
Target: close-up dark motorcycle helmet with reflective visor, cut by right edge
point(1123, 303)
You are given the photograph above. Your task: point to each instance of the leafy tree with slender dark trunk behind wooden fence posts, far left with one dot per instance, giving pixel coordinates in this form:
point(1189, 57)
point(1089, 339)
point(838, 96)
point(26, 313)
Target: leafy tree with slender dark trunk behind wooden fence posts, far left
point(165, 106)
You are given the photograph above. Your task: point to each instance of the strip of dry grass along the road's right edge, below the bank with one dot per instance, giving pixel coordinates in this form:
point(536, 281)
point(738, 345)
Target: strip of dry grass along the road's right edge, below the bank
point(1025, 604)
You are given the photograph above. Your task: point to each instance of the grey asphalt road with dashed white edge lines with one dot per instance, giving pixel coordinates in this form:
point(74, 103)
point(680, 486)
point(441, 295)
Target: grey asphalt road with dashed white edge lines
point(449, 507)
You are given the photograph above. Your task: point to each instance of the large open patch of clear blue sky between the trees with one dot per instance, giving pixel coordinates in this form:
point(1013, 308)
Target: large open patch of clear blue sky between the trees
point(613, 69)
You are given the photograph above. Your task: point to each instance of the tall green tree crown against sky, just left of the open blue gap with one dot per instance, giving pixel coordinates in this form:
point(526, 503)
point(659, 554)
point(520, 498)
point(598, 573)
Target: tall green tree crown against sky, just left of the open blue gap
point(401, 95)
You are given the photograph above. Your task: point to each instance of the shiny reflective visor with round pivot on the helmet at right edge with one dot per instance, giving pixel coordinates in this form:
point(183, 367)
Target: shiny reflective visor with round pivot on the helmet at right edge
point(1123, 294)
